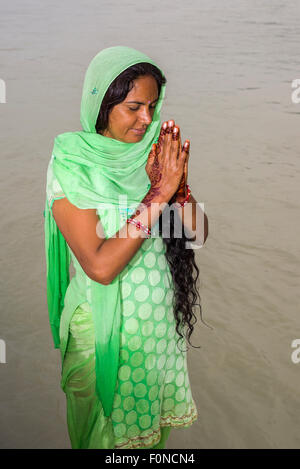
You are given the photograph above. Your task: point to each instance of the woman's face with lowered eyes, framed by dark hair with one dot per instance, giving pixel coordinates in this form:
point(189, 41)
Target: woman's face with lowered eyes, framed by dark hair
point(135, 112)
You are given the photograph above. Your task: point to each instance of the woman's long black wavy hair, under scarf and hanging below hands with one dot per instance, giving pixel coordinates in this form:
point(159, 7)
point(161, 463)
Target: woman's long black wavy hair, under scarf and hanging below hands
point(181, 261)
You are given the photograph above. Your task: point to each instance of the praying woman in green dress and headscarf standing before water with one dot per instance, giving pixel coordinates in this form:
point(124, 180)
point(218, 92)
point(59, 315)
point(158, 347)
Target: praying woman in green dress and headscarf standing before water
point(119, 321)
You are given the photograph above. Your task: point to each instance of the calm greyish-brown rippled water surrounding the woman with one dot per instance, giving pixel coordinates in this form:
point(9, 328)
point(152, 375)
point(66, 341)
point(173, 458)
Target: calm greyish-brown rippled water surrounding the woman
point(229, 67)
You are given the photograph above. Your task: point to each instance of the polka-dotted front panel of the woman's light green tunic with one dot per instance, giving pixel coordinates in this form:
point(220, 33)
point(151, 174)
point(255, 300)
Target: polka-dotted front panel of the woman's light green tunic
point(153, 383)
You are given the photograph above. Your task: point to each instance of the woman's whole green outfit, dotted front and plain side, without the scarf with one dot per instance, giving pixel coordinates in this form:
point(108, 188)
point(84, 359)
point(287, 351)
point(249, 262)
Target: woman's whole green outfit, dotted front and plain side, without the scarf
point(153, 391)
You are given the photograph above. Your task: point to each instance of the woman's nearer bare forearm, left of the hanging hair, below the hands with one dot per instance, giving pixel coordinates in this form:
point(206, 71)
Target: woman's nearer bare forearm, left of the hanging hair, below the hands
point(115, 253)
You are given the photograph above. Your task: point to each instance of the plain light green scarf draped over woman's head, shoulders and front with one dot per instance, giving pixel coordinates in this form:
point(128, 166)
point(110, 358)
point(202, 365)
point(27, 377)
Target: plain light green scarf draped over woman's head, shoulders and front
point(94, 170)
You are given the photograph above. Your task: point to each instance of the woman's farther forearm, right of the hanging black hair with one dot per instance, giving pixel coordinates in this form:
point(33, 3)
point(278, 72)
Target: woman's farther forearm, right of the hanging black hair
point(195, 221)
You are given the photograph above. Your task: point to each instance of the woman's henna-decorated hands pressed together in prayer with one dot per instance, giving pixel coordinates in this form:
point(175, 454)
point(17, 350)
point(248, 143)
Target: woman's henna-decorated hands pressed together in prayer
point(165, 165)
